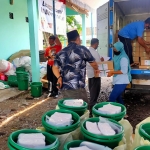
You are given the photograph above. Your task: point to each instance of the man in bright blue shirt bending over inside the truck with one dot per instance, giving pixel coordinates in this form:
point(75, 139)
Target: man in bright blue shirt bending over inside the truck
point(132, 31)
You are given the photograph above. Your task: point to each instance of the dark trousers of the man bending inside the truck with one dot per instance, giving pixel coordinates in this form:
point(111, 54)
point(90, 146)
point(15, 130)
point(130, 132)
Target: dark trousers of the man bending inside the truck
point(127, 47)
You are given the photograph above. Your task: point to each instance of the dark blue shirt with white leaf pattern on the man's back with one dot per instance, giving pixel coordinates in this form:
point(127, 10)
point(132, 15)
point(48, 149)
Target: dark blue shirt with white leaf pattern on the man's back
point(72, 64)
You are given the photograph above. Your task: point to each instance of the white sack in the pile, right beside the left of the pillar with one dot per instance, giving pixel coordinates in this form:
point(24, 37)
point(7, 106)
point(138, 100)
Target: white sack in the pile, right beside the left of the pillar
point(25, 61)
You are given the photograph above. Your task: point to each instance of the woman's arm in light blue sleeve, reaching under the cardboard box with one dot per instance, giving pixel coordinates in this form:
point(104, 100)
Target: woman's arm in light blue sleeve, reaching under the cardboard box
point(124, 68)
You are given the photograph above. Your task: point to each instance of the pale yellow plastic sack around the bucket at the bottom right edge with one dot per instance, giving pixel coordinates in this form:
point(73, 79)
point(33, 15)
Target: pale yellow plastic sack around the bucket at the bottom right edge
point(138, 140)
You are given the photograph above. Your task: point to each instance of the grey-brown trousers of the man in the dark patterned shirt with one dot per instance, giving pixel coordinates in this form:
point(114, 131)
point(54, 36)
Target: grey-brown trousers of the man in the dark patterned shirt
point(75, 94)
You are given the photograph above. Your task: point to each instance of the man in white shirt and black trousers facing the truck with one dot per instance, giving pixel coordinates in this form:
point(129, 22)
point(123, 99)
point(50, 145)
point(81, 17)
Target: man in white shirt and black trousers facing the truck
point(94, 83)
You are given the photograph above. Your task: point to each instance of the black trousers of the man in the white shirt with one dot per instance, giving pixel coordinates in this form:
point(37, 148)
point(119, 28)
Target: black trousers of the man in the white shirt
point(94, 85)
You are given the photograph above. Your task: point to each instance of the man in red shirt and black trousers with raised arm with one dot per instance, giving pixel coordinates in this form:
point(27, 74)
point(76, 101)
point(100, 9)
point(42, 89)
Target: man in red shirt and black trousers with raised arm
point(50, 53)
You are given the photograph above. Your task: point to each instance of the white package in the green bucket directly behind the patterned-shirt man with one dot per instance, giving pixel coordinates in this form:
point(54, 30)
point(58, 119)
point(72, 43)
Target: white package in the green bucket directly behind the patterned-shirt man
point(73, 102)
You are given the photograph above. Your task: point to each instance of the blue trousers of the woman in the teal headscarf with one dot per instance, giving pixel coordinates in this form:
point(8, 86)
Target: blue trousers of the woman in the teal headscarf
point(116, 94)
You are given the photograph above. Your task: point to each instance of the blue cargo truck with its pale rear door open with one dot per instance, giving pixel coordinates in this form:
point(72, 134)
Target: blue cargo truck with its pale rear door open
point(112, 16)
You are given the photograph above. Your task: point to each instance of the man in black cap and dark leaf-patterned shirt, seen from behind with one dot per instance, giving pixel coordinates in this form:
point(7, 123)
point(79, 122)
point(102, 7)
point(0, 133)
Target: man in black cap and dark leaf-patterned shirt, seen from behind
point(71, 62)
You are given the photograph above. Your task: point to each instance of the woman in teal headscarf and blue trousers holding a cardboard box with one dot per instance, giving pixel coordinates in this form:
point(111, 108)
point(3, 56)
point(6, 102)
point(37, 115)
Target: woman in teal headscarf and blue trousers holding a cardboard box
point(121, 74)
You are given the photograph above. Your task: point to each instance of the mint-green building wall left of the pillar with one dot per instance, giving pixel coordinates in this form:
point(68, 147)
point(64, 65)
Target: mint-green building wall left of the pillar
point(14, 33)
